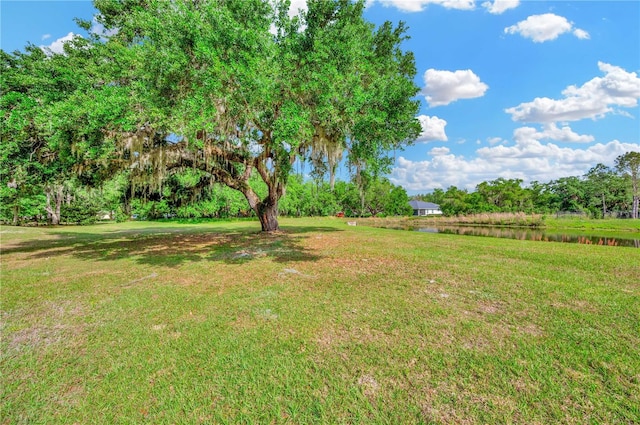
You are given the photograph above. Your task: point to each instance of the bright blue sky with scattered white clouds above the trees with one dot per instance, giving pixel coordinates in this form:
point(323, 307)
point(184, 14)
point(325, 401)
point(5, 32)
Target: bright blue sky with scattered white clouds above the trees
point(534, 90)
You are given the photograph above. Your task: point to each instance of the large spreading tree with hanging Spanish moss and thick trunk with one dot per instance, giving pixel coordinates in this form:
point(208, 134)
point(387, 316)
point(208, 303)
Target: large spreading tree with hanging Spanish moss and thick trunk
point(229, 88)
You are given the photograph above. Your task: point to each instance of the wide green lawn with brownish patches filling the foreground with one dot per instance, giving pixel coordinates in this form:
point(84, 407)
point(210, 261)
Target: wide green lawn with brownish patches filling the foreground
point(320, 323)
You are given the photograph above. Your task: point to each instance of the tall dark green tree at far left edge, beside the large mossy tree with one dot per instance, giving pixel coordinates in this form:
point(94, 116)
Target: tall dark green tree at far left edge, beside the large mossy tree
point(36, 159)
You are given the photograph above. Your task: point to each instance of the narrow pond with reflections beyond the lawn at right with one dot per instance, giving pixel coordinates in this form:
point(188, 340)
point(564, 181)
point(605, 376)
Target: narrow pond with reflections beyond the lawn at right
point(611, 239)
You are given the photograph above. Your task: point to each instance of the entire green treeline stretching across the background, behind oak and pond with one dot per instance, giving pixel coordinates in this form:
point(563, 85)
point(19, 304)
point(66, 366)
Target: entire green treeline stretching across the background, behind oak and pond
point(602, 192)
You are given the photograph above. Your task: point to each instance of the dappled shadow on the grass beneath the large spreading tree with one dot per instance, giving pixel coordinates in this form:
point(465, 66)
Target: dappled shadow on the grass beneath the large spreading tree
point(172, 246)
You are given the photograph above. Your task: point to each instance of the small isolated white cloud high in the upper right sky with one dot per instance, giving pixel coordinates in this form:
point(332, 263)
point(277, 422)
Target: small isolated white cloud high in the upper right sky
point(541, 28)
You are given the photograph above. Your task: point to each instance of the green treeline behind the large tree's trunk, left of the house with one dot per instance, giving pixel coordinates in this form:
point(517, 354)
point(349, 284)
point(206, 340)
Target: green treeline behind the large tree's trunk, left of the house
point(185, 195)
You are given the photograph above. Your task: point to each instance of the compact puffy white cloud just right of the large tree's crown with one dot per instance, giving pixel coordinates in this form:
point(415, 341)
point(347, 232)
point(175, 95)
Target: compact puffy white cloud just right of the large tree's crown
point(444, 87)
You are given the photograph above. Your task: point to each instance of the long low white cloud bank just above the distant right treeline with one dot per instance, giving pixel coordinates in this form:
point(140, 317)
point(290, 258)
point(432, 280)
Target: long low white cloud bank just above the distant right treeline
point(527, 160)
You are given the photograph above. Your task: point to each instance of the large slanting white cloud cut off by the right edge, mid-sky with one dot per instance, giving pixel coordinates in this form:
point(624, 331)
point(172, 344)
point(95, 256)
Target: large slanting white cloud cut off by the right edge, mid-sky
point(593, 99)
